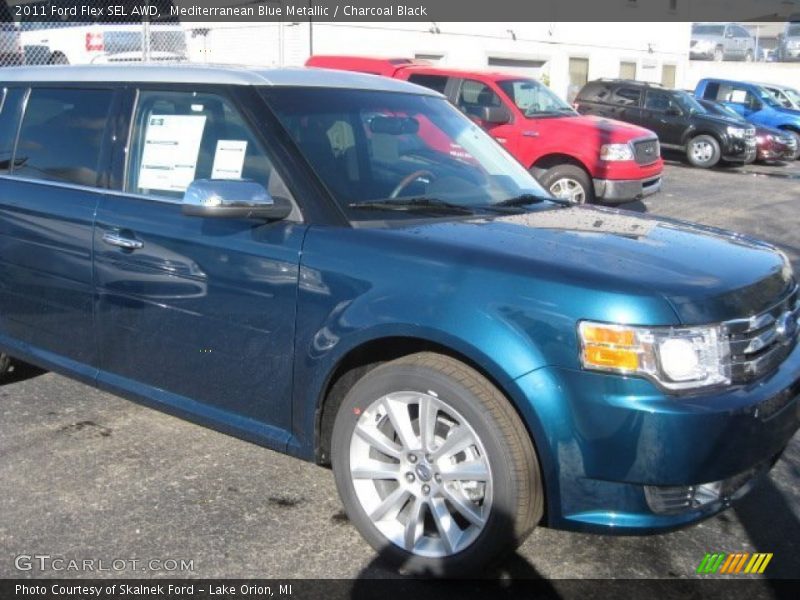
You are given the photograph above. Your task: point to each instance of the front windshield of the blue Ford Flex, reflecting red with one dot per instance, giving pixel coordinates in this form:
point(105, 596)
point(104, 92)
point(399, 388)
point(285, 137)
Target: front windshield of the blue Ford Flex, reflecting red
point(378, 150)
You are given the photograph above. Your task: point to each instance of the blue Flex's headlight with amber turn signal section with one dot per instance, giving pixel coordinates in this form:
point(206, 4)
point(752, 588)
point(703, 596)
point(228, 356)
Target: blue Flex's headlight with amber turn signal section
point(677, 358)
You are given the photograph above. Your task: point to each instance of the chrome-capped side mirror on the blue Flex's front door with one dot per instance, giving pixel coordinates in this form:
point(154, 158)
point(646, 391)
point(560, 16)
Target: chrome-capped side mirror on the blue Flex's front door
point(233, 199)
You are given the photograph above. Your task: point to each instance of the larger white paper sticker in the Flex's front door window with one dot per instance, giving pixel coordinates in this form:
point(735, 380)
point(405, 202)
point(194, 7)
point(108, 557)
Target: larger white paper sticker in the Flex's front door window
point(171, 148)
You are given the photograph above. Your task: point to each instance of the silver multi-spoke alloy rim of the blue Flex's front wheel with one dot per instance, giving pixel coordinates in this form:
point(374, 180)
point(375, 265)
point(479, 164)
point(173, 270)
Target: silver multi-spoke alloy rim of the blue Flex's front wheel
point(421, 474)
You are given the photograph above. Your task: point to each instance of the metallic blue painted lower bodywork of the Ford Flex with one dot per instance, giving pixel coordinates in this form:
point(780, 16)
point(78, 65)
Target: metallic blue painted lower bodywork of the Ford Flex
point(240, 325)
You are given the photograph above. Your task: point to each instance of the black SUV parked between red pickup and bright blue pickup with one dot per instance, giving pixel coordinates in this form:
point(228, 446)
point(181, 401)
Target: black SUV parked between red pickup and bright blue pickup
point(680, 121)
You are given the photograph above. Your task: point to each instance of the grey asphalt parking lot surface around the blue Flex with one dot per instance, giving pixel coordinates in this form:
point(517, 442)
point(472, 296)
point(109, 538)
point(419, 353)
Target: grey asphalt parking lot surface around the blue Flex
point(89, 475)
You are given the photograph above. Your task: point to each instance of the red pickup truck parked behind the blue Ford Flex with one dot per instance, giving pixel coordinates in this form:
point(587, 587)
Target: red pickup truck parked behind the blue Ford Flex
point(578, 158)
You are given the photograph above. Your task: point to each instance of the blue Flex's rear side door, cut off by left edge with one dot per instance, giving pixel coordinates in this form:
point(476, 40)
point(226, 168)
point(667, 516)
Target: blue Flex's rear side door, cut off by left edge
point(48, 200)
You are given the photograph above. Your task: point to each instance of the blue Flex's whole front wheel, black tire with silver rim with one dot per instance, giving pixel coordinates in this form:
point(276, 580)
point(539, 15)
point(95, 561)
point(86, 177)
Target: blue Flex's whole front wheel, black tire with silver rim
point(507, 498)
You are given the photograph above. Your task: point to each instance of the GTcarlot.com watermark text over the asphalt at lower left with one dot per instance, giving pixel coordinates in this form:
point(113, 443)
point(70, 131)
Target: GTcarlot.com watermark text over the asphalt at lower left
point(48, 563)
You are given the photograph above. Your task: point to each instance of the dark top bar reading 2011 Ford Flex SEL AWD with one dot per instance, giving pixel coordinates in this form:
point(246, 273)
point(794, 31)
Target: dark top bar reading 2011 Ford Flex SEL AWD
point(400, 10)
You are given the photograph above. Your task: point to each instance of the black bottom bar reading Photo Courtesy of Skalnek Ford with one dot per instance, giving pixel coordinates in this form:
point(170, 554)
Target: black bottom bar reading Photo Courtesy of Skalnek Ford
point(389, 589)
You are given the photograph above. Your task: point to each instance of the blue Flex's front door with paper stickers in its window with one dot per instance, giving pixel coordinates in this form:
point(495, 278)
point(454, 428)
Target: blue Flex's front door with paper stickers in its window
point(195, 312)
